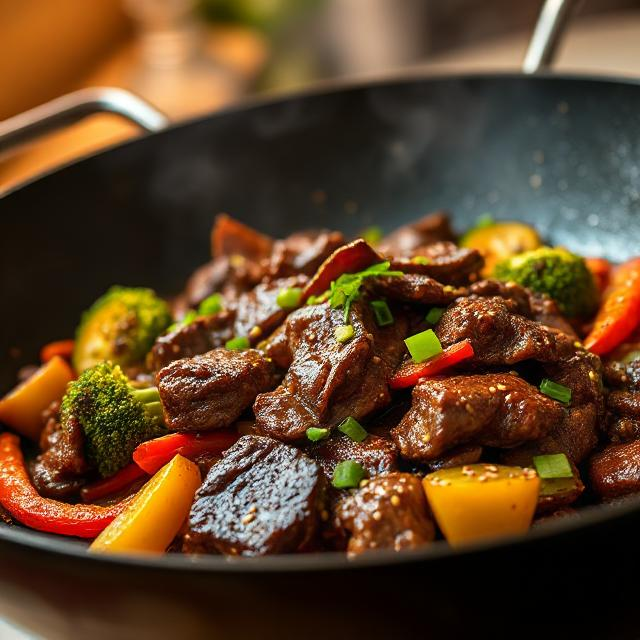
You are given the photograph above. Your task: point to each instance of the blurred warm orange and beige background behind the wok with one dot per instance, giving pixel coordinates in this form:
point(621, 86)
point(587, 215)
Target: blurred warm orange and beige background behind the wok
point(190, 57)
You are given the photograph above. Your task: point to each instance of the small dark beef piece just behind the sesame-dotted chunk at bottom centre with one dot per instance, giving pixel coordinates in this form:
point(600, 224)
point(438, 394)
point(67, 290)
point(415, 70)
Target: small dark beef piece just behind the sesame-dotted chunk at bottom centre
point(375, 454)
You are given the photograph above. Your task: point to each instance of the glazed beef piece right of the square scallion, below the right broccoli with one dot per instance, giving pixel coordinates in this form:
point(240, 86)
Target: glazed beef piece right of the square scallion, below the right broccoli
point(499, 335)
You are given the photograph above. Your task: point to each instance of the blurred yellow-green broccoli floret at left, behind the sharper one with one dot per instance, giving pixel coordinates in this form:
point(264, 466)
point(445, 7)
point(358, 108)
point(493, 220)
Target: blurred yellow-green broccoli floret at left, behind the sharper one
point(121, 326)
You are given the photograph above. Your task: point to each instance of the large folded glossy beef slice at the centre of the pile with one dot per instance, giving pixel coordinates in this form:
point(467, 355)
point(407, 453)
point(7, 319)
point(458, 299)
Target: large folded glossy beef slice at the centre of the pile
point(328, 380)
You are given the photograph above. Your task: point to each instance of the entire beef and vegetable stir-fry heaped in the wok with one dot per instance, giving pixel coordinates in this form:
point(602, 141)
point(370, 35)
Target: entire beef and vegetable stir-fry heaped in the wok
point(321, 393)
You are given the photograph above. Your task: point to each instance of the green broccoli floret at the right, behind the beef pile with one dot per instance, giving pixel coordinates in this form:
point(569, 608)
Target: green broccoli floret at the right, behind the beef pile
point(557, 272)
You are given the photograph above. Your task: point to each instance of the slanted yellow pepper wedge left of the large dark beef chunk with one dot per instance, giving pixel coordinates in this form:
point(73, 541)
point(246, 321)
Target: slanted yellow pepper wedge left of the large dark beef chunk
point(155, 515)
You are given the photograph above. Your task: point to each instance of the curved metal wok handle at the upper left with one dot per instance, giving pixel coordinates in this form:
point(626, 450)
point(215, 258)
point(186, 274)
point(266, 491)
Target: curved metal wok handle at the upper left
point(74, 106)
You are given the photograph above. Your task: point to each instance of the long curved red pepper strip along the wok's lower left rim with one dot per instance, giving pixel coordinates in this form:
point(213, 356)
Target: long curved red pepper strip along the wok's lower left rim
point(20, 498)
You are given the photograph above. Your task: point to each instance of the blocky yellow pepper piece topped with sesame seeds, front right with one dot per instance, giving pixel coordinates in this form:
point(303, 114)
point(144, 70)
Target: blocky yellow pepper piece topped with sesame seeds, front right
point(482, 501)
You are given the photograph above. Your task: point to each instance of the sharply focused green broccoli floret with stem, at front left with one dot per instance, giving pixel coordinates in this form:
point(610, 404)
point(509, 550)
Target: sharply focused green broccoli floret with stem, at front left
point(114, 416)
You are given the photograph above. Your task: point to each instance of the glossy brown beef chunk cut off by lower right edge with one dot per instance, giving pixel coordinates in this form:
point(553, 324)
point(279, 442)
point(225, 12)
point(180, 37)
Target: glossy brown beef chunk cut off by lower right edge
point(615, 471)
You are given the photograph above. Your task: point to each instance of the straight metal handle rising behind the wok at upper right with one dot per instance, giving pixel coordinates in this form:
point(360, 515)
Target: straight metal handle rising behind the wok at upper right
point(547, 34)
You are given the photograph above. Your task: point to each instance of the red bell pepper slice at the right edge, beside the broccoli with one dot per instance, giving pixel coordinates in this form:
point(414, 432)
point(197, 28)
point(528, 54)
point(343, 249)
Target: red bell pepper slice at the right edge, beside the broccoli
point(620, 313)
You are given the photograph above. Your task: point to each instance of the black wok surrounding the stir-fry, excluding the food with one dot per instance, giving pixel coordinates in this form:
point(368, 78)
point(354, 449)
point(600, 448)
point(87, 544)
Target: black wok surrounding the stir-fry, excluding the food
point(560, 152)
